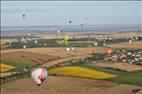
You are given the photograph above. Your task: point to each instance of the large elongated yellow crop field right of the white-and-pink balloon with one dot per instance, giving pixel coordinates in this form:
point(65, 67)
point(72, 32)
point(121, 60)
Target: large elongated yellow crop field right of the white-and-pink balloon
point(80, 72)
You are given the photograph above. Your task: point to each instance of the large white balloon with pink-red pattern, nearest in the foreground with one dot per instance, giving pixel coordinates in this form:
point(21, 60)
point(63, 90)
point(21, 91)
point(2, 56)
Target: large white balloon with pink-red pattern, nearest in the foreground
point(39, 75)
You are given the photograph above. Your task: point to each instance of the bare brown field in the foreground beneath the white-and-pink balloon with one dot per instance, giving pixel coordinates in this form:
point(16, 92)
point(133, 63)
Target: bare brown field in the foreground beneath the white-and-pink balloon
point(67, 85)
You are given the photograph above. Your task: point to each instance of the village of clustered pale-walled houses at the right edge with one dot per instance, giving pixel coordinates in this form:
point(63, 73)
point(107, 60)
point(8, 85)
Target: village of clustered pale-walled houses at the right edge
point(125, 56)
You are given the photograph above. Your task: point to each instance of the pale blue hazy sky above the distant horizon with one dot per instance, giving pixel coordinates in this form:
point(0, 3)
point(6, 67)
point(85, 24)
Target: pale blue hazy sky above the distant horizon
point(61, 12)
